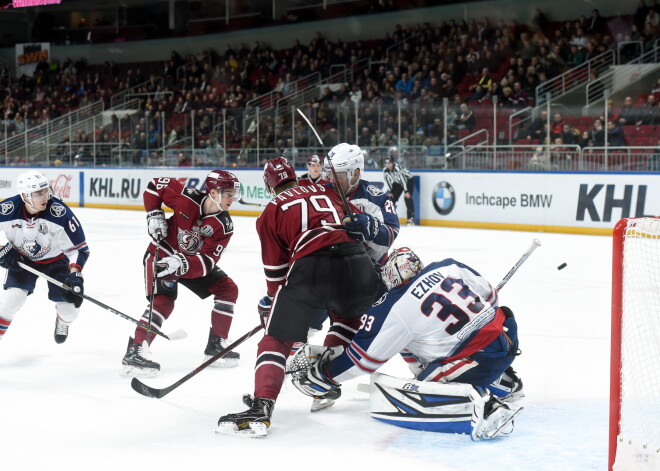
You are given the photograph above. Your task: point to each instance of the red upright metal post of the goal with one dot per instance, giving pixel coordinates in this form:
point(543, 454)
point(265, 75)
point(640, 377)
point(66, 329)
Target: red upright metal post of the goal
point(615, 342)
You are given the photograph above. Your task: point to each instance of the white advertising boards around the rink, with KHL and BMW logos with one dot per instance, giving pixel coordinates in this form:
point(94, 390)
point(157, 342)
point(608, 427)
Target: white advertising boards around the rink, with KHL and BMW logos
point(578, 203)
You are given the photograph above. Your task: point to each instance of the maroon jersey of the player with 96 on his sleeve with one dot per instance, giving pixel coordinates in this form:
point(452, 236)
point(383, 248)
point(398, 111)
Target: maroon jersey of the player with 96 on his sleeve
point(200, 238)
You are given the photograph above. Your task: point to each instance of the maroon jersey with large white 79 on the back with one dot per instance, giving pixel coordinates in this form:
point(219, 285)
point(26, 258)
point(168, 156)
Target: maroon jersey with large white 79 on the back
point(296, 223)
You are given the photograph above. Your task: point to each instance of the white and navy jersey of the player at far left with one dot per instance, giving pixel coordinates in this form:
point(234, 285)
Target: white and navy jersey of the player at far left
point(50, 235)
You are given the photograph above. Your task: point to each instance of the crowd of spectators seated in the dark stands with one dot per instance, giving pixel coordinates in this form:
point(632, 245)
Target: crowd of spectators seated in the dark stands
point(398, 87)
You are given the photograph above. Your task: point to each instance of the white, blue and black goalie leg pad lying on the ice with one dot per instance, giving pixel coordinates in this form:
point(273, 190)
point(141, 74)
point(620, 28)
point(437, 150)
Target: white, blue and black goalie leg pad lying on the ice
point(440, 407)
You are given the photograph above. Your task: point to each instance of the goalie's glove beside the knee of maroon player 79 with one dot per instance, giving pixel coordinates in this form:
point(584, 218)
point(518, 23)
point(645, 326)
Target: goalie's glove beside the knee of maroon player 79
point(311, 380)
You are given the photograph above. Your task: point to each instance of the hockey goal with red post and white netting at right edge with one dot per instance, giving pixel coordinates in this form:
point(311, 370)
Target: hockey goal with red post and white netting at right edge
point(634, 438)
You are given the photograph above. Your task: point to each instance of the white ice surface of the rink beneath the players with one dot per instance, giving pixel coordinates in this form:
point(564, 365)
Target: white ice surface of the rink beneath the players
point(67, 407)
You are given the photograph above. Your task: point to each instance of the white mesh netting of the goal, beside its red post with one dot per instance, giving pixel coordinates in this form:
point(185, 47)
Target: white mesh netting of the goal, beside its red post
point(640, 333)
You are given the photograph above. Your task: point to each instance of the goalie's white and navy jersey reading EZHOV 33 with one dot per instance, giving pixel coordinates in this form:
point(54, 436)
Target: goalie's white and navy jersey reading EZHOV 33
point(445, 313)
